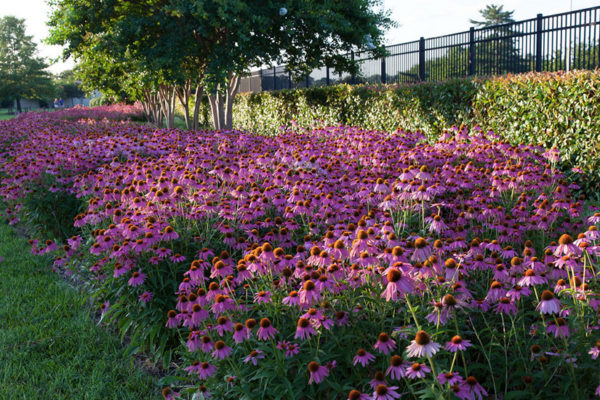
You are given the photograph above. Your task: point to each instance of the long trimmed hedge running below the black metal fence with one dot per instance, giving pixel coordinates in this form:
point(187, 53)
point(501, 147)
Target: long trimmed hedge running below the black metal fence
point(551, 109)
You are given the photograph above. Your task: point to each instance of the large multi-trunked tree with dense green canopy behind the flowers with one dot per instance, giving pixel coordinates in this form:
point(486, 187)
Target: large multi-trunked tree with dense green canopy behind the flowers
point(213, 43)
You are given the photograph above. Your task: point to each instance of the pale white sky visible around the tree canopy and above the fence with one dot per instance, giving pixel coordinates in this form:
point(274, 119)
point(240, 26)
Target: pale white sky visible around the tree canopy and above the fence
point(416, 18)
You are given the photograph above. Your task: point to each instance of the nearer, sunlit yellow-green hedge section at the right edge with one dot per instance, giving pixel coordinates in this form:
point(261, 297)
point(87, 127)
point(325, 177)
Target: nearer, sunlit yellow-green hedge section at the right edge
point(551, 109)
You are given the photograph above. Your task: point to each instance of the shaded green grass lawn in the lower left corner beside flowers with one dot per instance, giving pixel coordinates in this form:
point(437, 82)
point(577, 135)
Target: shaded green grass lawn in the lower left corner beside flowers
point(50, 347)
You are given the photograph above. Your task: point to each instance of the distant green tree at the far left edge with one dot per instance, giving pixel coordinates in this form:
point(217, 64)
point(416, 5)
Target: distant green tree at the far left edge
point(22, 73)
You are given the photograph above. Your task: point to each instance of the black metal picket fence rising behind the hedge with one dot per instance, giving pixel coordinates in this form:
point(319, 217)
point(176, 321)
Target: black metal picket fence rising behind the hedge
point(569, 40)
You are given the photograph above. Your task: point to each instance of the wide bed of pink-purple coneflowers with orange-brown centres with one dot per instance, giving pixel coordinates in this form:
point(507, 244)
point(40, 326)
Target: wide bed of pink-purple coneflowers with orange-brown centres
point(324, 263)
